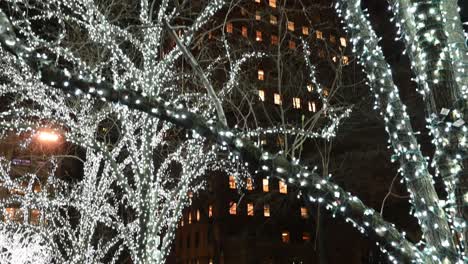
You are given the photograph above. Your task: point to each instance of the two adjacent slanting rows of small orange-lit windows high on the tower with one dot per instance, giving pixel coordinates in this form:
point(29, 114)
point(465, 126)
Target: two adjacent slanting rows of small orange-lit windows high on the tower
point(291, 27)
